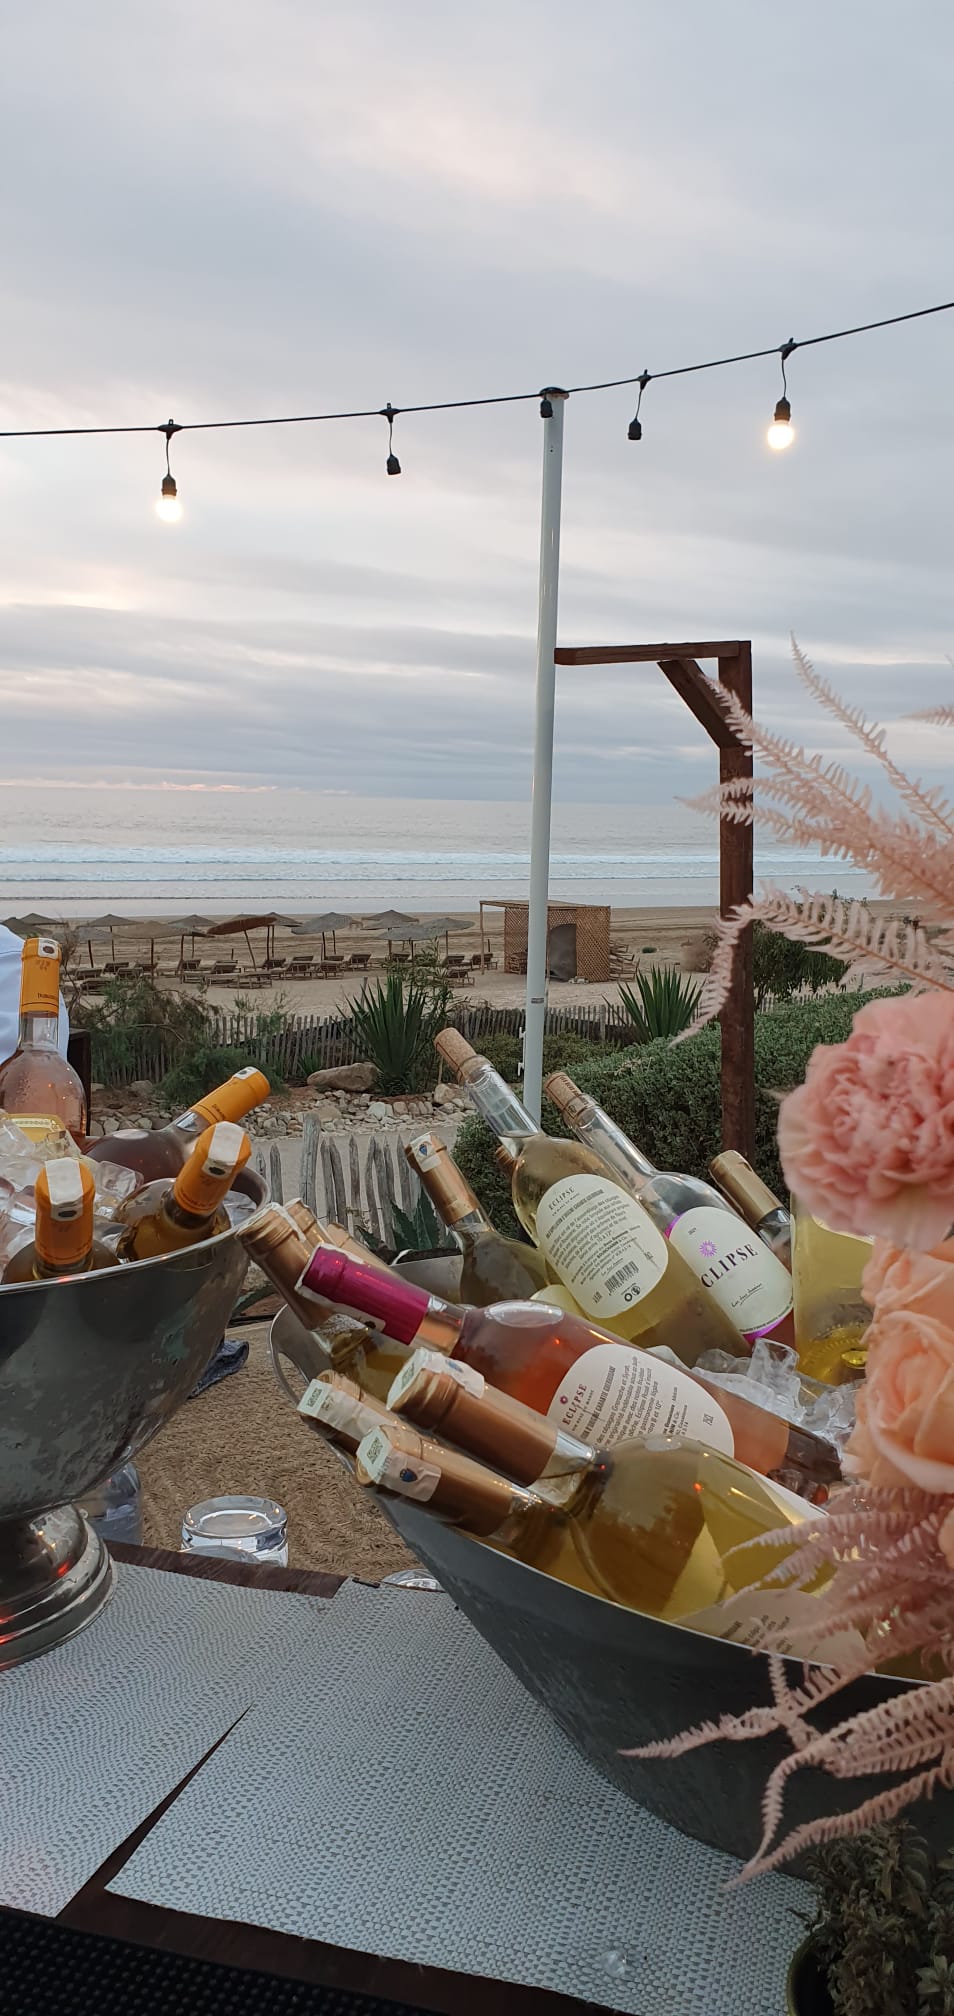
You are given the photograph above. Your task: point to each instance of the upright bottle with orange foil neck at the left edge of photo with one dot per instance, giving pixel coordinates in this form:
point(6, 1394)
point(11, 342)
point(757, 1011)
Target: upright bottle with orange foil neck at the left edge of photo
point(39, 1090)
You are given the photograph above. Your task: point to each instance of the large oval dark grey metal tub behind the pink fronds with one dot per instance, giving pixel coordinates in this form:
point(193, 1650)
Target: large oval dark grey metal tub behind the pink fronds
point(614, 1680)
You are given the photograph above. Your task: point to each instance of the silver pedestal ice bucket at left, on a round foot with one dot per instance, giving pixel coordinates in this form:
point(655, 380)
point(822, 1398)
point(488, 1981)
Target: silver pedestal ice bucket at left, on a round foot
point(90, 1372)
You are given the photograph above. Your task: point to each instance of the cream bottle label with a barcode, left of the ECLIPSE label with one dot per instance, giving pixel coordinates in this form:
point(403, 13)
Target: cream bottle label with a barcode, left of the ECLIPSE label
point(602, 1245)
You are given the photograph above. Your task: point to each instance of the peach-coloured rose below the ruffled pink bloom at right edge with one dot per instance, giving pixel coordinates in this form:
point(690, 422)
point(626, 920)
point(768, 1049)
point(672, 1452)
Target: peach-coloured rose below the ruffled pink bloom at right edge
point(905, 1426)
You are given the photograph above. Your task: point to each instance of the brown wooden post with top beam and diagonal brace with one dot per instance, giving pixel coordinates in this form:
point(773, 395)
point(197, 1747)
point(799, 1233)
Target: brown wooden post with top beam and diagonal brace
point(705, 699)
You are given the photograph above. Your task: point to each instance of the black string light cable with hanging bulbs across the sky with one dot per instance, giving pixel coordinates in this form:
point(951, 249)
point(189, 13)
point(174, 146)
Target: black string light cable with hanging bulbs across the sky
point(782, 430)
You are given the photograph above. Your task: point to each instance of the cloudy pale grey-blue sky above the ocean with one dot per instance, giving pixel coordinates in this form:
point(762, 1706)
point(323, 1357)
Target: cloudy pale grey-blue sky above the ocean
point(227, 209)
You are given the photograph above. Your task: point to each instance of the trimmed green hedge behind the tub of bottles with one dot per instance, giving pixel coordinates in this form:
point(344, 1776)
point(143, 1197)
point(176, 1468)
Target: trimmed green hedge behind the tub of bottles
point(667, 1098)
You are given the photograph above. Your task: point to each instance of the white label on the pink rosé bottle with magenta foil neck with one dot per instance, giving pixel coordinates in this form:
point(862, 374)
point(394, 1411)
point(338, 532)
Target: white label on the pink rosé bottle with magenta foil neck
point(616, 1394)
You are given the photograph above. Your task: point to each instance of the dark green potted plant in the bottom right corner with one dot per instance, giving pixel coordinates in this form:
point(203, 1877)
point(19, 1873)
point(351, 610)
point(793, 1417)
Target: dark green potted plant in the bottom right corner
point(882, 1934)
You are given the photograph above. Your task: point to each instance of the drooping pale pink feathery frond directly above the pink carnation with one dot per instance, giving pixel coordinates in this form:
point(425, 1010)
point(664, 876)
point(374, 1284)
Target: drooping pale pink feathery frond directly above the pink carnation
point(880, 949)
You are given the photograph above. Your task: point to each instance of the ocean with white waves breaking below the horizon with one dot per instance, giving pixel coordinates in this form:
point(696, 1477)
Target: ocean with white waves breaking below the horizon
point(162, 852)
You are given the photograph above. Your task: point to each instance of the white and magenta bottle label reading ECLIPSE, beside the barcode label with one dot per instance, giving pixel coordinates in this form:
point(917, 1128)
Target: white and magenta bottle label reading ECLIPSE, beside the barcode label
point(743, 1277)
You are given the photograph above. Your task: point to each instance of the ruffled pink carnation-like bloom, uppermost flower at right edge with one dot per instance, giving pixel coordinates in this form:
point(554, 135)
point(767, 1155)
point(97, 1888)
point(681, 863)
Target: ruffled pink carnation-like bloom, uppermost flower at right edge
point(868, 1140)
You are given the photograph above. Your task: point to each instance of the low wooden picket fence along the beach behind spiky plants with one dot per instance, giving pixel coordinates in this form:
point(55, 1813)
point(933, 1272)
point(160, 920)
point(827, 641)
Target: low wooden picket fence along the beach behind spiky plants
point(316, 1043)
